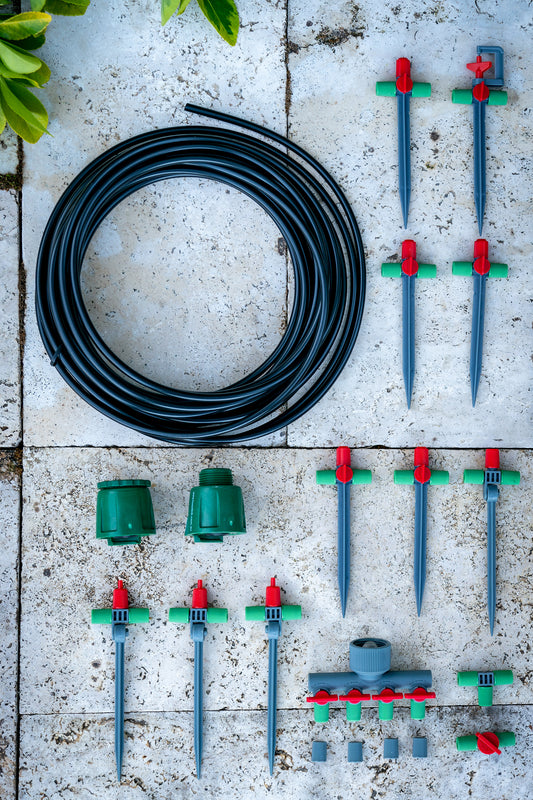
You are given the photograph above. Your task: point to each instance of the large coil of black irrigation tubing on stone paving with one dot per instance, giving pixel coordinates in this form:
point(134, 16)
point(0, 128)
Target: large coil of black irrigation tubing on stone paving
point(324, 243)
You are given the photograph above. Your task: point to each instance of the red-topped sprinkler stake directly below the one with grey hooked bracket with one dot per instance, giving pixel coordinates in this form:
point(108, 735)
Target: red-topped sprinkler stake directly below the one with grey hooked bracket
point(480, 269)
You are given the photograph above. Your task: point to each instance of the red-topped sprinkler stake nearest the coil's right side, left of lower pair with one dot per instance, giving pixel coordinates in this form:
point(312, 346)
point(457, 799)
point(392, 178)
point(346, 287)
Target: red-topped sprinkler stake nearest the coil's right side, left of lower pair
point(408, 271)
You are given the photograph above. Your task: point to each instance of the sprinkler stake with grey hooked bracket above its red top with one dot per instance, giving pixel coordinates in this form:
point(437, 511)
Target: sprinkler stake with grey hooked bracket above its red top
point(479, 97)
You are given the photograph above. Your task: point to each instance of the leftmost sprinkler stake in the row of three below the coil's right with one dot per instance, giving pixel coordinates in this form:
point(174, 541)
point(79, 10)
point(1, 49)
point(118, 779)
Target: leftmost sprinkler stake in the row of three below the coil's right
point(343, 477)
